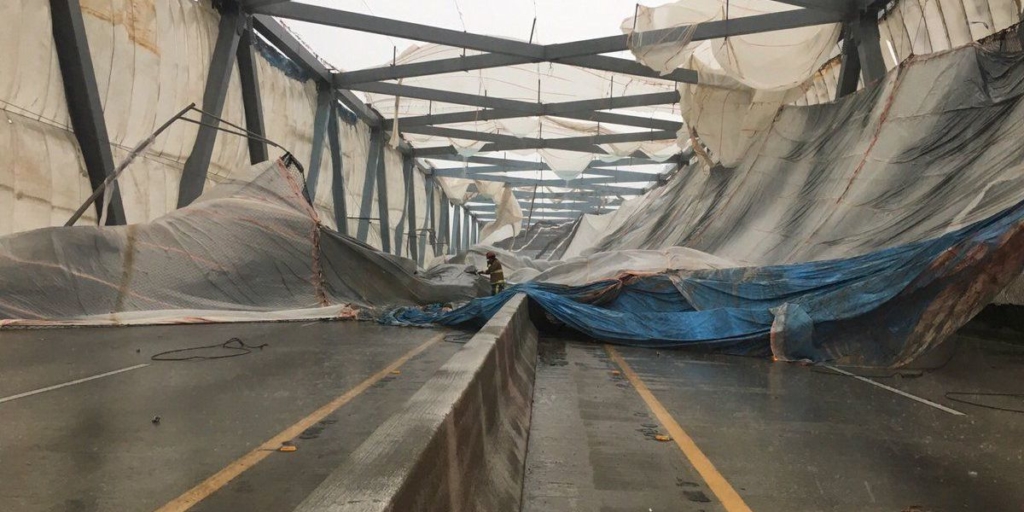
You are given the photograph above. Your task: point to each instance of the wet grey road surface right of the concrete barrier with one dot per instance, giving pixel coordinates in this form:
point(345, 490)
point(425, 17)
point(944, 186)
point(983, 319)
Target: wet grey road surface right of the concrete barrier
point(787, 438)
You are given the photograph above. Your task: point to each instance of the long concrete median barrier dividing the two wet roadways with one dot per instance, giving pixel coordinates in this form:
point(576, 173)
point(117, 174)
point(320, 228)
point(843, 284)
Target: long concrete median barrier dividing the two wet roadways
point(460, 443)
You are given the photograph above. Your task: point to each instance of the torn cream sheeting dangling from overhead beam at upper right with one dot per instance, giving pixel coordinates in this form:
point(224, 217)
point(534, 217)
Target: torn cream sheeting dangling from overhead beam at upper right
point(744, 80)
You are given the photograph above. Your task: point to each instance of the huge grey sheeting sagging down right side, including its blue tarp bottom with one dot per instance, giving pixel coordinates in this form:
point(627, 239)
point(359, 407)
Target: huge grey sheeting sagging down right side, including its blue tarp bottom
point(869, 230)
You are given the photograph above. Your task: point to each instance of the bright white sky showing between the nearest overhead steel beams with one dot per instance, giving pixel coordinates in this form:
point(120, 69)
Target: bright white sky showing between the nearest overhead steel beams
point(558, 22)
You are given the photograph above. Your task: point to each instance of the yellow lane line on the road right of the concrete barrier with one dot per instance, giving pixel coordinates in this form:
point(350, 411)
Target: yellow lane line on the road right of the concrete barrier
point(729, 496)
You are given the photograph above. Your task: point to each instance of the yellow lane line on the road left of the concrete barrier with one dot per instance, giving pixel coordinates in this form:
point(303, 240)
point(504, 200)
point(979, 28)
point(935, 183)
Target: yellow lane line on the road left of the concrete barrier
point(230, 473)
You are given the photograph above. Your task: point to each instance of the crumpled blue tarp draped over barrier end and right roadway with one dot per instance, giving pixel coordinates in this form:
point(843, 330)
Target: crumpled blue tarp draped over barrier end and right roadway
point(848, 302)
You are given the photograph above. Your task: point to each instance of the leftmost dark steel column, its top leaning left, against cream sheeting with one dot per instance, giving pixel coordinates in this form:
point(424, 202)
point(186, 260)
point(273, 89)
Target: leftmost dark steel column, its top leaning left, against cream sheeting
point(82, 96)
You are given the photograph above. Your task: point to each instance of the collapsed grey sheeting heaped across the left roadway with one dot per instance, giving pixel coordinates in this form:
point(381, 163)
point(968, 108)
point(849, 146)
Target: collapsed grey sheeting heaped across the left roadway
point(247, 250)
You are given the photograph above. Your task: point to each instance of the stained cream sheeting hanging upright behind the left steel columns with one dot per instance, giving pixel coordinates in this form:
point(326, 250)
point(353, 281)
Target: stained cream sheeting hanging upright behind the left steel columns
point(152, 59)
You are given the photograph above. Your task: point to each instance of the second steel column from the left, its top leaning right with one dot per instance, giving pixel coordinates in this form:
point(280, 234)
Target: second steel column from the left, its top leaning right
point(198, 165)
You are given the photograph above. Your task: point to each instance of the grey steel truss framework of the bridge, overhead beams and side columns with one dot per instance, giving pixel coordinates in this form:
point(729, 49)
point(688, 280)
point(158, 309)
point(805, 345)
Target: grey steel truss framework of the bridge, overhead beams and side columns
point(245, 24)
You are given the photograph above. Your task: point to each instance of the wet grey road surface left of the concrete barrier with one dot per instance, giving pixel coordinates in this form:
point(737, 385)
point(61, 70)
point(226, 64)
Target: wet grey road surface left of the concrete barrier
point(97, 446)
